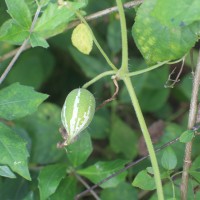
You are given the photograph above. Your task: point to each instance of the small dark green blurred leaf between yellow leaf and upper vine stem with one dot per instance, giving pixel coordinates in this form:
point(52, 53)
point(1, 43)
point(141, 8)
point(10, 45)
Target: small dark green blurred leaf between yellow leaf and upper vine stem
point(114, 36)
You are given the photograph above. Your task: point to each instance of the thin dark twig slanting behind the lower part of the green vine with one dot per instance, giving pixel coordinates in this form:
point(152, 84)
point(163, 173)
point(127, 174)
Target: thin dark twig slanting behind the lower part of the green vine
point(129, 165)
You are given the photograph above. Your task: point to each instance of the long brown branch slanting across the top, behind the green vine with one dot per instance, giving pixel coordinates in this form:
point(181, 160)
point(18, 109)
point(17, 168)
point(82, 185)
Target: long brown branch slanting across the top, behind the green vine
point(96, 15)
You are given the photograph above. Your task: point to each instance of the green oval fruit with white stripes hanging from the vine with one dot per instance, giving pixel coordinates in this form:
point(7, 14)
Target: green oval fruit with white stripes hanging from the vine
point(77, 112)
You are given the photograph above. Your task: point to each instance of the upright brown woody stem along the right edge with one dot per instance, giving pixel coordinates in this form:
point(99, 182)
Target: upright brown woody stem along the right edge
point(191, 123)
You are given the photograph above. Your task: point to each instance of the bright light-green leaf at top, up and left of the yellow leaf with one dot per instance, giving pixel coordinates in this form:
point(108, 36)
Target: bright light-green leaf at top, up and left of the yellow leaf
point(54, 19)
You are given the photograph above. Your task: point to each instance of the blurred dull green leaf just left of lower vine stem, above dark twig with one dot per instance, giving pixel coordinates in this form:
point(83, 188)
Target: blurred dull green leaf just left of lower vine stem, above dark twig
point(123, 138)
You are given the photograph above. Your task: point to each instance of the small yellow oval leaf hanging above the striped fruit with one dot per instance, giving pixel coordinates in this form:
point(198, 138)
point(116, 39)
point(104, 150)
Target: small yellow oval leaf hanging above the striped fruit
point(82, 39)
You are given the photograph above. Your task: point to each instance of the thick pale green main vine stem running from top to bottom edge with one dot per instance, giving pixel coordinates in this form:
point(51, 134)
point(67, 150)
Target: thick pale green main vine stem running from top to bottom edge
point(123, 70)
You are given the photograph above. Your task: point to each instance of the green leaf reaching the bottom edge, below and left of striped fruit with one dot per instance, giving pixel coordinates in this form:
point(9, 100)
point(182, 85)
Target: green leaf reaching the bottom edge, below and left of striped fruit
point(49, 179)
